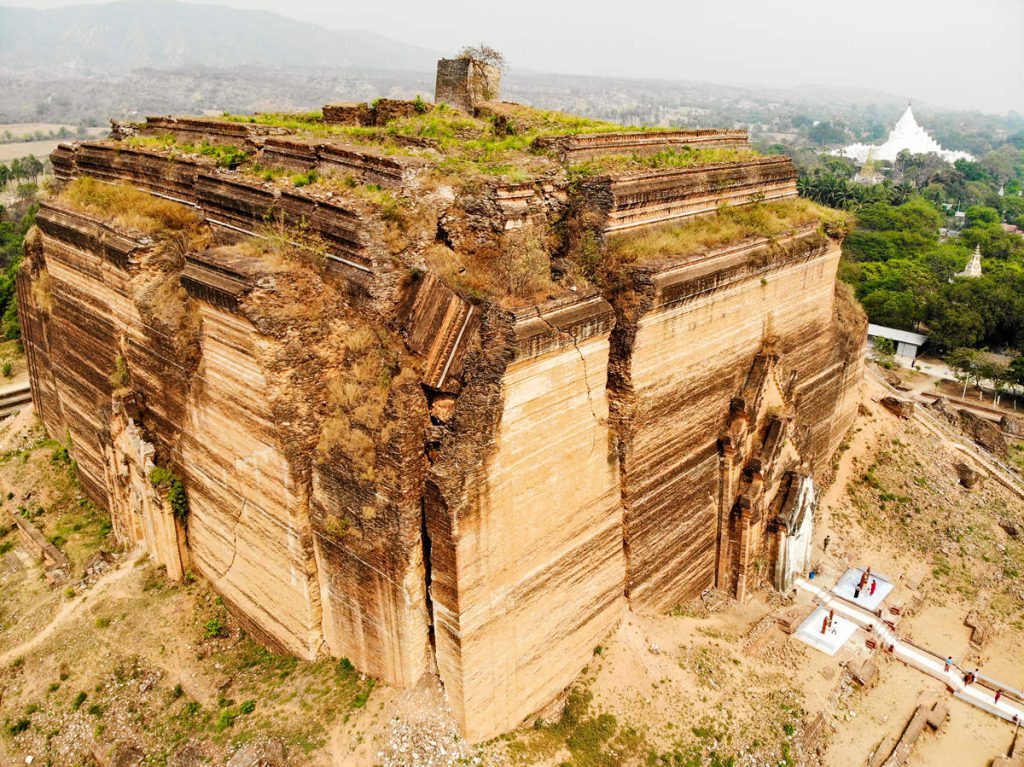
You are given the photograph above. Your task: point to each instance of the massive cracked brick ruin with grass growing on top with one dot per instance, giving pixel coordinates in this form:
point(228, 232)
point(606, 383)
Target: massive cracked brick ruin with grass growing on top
point(443, 395)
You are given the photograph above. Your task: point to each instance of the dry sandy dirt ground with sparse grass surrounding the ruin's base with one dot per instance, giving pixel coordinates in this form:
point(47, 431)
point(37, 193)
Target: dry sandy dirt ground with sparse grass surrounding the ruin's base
point(132, 664)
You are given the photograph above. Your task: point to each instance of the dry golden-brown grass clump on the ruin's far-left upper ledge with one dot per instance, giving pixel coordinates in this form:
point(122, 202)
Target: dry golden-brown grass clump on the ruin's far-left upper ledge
point(130, 208)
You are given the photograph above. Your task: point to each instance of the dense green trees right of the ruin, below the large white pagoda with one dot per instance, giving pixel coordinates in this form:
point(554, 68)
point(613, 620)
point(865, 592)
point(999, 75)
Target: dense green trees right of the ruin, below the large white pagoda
point(918, 229)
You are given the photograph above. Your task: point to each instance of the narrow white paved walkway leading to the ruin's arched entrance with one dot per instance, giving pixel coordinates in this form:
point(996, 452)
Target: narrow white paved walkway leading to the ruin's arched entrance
point(980, 695)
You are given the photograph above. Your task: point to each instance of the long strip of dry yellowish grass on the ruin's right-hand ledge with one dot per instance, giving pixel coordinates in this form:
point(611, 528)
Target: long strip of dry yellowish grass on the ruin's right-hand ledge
point(732, 225)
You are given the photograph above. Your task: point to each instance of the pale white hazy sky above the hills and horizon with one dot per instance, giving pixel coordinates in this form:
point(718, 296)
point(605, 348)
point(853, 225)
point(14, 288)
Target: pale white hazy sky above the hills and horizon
point(962, 54)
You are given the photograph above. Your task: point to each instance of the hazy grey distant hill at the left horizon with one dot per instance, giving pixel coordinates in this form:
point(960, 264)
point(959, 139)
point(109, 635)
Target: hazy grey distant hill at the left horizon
point(122, 36)
